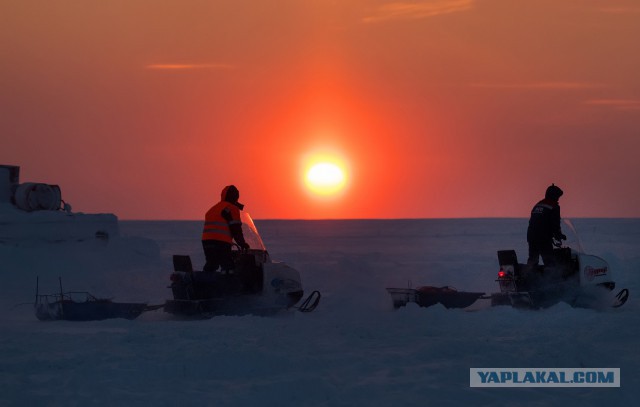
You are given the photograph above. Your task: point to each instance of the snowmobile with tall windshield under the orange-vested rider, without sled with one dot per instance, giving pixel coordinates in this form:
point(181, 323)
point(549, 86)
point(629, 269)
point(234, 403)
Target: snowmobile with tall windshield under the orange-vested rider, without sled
point(257, 285)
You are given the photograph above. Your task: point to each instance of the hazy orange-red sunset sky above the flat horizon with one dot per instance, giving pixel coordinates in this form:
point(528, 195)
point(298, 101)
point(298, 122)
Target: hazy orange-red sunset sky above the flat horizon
point(442, 108)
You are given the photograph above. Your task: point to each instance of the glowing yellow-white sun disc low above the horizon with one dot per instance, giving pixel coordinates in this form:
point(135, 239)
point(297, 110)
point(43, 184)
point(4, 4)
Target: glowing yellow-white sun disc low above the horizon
point(325, 176)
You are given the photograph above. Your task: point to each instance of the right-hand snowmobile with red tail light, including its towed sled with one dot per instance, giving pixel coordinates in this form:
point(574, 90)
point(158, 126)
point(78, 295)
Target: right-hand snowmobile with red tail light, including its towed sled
point(579, 279)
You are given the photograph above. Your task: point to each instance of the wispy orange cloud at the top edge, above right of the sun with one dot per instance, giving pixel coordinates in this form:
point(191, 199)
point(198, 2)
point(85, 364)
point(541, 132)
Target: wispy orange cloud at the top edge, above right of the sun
point(405, 10)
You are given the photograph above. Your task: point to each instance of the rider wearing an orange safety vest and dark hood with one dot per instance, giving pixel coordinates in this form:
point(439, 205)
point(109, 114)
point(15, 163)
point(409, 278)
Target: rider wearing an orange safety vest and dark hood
point(222, 225)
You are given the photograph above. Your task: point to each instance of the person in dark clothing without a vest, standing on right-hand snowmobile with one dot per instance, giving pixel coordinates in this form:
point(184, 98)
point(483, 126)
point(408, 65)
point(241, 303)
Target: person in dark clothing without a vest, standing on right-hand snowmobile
point(544, 227)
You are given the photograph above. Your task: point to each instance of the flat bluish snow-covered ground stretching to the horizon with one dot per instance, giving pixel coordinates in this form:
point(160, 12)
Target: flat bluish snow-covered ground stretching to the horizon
point(354, 350)
